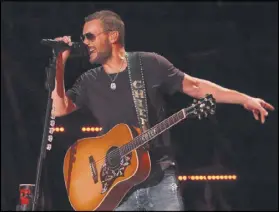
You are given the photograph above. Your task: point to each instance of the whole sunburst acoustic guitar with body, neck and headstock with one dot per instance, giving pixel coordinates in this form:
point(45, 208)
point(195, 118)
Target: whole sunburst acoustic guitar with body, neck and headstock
point(99, 171)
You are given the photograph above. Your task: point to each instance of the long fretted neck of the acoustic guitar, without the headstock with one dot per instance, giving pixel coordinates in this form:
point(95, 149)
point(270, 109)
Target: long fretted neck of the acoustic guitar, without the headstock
point(153, 132)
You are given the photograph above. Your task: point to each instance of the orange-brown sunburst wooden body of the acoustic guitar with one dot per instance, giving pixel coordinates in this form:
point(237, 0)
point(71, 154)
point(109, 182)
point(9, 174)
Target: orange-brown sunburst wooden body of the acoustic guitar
point(96, 182)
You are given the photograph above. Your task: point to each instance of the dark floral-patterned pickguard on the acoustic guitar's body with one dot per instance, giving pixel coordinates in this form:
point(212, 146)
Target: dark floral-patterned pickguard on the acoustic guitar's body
point(109, 174)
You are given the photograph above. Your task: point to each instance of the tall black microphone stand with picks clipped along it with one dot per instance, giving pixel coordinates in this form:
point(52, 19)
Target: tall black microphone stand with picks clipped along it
point(48, 125)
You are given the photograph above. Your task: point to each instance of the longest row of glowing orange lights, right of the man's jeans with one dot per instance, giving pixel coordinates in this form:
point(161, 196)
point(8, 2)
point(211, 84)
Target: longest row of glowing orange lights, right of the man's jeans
point(207, 177)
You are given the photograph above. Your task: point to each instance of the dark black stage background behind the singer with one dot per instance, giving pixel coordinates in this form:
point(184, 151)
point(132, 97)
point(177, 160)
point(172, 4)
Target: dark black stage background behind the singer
point(232, 44)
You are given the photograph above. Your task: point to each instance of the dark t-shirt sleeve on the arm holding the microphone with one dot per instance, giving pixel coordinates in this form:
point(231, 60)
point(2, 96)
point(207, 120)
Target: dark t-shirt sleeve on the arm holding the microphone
point(78, 92)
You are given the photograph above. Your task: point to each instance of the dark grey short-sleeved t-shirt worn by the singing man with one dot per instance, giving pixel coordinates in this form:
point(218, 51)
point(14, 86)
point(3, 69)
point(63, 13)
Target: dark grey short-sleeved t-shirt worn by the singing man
point(111, 107)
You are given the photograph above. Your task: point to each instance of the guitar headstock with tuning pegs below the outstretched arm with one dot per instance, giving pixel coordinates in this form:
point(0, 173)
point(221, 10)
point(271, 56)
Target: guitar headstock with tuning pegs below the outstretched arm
point(202, 107)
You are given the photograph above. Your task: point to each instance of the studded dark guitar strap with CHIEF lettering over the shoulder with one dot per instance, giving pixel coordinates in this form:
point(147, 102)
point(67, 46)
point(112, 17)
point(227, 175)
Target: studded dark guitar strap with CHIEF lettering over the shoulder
point(136, 76)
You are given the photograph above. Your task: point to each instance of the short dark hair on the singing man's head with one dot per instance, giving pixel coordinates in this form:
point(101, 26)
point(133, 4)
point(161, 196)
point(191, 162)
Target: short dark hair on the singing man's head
point(111, 21)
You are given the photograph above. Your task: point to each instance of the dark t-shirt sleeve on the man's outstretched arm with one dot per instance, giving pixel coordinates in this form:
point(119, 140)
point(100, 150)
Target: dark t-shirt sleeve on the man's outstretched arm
point(170, 77)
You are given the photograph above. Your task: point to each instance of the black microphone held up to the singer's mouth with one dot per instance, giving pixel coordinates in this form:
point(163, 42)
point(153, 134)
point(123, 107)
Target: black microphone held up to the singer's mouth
point(77, 48)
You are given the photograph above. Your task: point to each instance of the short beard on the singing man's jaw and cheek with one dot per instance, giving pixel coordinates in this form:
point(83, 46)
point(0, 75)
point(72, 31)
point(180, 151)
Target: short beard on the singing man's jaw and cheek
point(101, 55)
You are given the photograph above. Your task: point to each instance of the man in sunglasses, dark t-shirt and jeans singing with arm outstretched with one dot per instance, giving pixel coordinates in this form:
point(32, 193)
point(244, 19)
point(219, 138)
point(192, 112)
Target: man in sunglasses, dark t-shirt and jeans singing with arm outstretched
point(106, 91)
